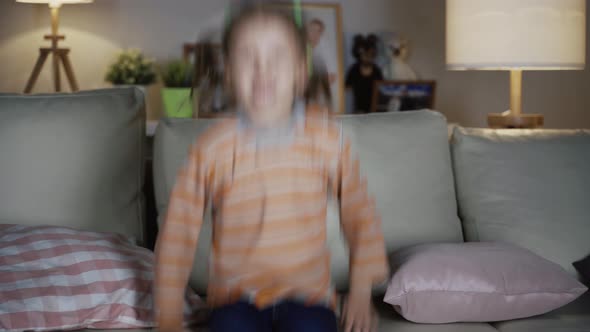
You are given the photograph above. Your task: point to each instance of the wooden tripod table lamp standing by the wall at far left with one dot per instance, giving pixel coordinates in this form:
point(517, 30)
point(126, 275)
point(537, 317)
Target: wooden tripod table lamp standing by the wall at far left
point(58, 53)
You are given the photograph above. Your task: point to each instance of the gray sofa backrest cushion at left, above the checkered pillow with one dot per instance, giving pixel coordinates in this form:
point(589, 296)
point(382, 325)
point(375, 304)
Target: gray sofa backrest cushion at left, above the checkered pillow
point(73, 160)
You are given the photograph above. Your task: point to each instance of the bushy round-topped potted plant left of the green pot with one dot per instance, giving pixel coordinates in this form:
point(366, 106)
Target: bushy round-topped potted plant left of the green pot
point(132, 68)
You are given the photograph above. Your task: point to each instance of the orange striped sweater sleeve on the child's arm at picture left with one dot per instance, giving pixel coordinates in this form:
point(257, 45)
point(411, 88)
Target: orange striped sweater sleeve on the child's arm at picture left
point(177, 240)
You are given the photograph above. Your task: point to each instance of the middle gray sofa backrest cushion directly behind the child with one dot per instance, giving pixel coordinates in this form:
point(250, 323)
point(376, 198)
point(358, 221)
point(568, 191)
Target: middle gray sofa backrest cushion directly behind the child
point(405, 157)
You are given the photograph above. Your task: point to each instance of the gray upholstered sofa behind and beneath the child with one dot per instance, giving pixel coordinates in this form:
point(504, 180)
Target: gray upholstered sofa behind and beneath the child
point(77, 160)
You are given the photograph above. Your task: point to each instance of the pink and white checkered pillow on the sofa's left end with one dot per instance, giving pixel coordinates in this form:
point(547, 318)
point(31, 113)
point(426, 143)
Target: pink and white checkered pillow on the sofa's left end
point(55, 278)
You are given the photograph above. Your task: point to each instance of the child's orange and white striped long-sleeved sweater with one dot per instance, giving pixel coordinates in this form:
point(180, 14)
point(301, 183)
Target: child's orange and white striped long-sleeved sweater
point(269, 191)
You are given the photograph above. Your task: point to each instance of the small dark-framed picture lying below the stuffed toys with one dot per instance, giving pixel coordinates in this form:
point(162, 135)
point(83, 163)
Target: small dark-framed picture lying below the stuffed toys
point(393, 96)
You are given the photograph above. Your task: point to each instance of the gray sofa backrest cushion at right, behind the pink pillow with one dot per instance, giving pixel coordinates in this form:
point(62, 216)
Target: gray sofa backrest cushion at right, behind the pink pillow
point(526, 187)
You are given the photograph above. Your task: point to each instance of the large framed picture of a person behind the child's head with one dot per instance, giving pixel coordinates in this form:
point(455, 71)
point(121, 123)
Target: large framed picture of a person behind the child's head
point(323, 23)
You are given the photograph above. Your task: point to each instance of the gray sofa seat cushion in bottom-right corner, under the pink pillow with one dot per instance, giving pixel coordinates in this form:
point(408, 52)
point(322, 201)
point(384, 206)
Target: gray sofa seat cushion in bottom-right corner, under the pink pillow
point(574, 317)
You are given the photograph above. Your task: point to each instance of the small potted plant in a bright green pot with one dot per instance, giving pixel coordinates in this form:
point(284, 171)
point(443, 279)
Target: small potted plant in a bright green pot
point(176, 95)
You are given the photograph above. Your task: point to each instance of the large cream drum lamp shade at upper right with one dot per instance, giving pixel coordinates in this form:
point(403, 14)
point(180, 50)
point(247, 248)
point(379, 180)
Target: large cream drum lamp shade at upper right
point(516, 34)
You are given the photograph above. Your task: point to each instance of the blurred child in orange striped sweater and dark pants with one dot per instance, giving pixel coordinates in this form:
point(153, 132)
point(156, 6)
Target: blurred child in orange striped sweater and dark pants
point(268, 173)
